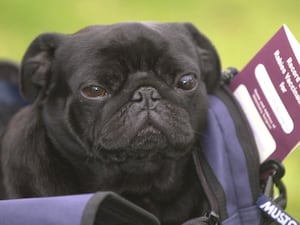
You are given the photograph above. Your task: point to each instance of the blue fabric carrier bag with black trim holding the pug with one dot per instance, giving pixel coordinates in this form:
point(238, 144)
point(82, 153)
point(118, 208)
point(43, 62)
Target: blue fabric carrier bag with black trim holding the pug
point(227, 165)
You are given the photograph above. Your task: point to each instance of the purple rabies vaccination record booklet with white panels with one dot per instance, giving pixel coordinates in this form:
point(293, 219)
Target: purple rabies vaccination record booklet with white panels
point(268, 89)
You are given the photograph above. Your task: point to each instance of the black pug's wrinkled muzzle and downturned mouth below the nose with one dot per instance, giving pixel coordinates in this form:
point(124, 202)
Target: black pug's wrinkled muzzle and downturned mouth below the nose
point(145, 136)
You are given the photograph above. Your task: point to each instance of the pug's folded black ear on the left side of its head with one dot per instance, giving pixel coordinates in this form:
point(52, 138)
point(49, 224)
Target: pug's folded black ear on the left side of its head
point(36, 65)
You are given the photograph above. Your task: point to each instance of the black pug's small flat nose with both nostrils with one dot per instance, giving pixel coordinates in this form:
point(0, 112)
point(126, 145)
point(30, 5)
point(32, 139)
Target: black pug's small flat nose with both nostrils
point(146, 96)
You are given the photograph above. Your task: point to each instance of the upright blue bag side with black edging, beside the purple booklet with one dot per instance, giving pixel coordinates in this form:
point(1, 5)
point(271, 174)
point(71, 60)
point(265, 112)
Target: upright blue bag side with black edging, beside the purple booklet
point(230, 161)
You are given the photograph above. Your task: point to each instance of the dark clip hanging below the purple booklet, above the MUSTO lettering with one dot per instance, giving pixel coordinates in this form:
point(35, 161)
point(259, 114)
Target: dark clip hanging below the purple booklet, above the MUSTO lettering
point(272, 172)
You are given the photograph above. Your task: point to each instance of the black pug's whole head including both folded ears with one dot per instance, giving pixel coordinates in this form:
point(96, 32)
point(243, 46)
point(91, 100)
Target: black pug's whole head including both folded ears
point(127, 92)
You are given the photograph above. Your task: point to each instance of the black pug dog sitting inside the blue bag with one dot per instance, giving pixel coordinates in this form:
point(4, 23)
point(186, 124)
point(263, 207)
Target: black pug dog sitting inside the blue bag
point(118, 107)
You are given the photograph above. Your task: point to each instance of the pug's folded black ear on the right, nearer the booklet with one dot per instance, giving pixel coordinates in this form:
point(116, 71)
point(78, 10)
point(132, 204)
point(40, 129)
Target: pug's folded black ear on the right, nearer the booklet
point(209, 60)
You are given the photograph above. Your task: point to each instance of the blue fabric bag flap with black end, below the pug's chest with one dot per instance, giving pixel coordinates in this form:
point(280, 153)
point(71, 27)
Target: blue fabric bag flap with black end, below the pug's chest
point(100, 208)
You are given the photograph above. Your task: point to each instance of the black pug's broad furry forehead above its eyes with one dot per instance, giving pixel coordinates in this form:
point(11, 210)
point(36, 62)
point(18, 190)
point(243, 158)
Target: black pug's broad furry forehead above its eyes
point(136, 46)
